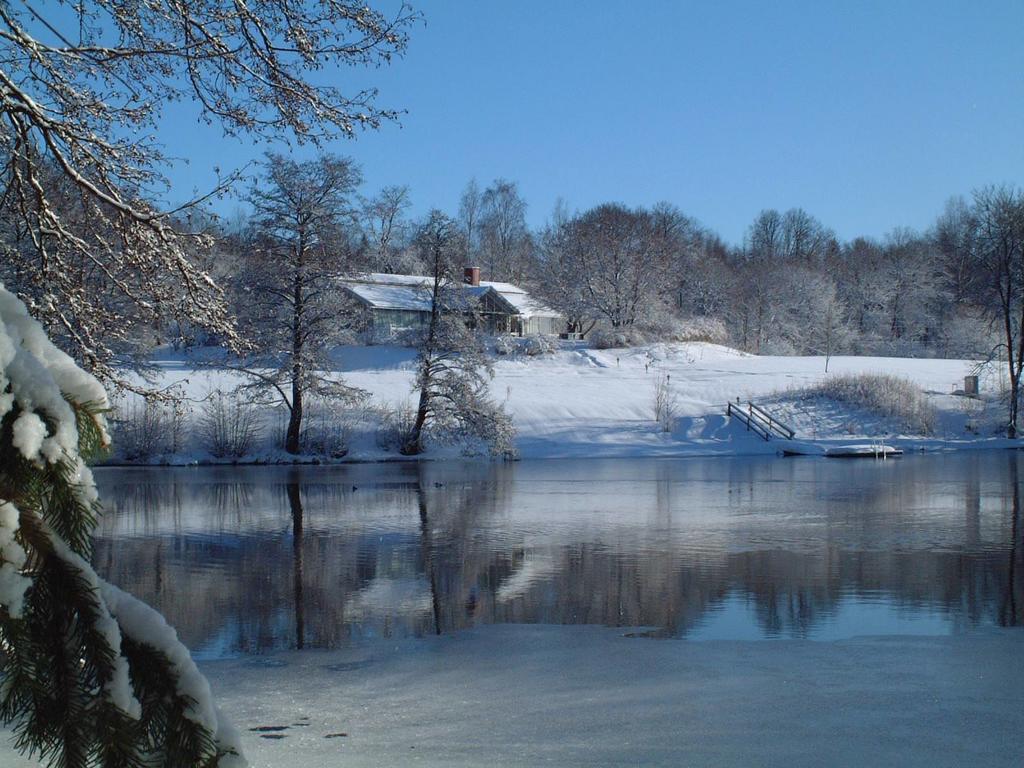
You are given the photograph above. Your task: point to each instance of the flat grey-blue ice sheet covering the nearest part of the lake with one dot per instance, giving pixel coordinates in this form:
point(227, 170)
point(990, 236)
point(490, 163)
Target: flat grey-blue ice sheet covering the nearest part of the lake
point(526, 696)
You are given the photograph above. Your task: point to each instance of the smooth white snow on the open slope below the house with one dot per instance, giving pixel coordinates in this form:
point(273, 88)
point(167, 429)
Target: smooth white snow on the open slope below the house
point(580, 402)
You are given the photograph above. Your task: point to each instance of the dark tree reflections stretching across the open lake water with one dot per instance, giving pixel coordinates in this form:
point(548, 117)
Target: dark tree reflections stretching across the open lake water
point(328, 572)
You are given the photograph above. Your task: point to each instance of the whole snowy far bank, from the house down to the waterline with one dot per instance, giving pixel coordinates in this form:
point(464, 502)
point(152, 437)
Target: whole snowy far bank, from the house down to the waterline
point(589, 404)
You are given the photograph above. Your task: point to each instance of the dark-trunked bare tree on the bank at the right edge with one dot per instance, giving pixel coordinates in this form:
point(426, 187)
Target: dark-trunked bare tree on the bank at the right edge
point(998, 249)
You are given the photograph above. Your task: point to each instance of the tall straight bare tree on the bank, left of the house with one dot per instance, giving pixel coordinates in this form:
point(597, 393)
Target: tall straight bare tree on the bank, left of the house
point(300, 209)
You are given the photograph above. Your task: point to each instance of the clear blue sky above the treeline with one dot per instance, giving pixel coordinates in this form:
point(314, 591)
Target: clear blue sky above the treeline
point(869, 115)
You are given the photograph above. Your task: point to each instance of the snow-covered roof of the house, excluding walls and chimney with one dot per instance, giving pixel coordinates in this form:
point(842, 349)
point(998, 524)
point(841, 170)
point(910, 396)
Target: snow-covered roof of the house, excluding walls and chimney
point(412, 293)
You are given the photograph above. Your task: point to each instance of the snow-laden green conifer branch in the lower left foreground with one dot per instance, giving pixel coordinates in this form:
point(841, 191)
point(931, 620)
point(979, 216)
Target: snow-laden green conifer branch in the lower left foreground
point(91, 675)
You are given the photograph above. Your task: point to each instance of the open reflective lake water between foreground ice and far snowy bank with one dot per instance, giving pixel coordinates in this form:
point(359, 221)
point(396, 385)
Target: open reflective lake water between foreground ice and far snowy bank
point(257, 560)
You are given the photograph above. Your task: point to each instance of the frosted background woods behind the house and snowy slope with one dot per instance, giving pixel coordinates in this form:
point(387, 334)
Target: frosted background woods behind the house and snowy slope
point(792, 287)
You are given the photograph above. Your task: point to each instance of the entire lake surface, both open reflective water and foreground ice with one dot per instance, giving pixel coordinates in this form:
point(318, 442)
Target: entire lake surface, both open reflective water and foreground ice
point(793, 613)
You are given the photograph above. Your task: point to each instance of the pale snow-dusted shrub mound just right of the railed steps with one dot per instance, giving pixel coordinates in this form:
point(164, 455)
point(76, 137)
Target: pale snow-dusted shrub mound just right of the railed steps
point(887, 396)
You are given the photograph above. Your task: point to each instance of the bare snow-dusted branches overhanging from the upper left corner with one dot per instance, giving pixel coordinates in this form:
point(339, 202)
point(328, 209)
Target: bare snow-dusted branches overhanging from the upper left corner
point(84, 86)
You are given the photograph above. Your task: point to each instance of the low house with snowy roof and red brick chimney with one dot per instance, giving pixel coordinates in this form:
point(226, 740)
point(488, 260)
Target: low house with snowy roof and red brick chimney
point(401, 303)
